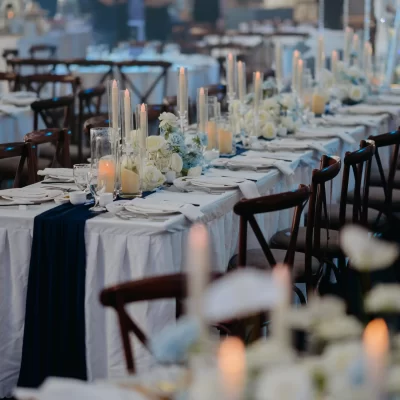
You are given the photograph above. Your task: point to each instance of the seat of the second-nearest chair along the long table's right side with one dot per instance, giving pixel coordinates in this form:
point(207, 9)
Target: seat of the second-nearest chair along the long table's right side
point(281, 240)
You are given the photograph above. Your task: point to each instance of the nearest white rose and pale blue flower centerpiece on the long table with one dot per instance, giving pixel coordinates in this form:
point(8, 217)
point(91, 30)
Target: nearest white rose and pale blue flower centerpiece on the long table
point(172, 152)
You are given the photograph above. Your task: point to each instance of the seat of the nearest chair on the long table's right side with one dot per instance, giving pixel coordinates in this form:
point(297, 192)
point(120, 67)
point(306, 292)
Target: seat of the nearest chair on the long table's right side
point(256, 258)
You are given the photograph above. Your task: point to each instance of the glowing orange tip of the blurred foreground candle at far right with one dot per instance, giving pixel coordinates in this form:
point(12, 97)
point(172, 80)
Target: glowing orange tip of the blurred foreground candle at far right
point(376, 339)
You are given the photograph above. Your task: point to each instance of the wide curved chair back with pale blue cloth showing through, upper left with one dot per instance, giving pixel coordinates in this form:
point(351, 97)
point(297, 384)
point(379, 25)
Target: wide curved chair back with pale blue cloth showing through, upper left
point(41, 83)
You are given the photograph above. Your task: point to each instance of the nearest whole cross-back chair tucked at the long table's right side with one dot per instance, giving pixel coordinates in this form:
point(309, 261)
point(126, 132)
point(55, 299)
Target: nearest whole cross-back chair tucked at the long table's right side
point(265, 258)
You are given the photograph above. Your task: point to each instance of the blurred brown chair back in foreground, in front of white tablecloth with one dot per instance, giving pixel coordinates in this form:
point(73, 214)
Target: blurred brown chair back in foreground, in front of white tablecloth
point(148, 289)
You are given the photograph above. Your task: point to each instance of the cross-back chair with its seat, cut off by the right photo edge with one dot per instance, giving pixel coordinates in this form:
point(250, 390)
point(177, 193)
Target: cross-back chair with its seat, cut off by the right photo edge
point(386, 199)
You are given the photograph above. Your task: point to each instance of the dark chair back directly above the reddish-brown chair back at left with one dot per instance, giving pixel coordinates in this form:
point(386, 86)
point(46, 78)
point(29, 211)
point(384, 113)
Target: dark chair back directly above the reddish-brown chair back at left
point(55, 113)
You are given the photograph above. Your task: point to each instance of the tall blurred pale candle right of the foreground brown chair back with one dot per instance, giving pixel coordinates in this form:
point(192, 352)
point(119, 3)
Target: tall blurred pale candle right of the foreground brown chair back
point(198, 273)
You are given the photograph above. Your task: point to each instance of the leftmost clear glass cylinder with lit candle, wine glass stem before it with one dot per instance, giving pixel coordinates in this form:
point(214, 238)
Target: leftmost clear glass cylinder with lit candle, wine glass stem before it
point(103, 167)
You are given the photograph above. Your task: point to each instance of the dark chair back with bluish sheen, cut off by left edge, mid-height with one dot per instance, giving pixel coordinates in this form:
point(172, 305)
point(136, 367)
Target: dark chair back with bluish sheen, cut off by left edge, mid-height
point(24, 151)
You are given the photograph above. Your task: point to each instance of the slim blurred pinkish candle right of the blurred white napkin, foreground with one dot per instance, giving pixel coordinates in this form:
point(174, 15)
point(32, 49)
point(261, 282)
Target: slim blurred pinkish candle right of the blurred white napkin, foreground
point(279, 327)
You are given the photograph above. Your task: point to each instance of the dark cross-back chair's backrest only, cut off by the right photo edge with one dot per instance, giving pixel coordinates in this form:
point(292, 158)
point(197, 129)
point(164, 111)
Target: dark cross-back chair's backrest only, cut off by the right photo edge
point(384, 140)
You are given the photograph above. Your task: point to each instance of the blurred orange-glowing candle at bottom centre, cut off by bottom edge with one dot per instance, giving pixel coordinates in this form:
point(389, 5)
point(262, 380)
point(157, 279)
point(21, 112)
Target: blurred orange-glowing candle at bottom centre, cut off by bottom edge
point(232, 368)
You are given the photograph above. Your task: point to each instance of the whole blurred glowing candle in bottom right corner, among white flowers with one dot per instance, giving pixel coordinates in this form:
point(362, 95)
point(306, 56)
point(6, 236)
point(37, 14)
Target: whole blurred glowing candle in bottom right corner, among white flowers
point(376, 347)
